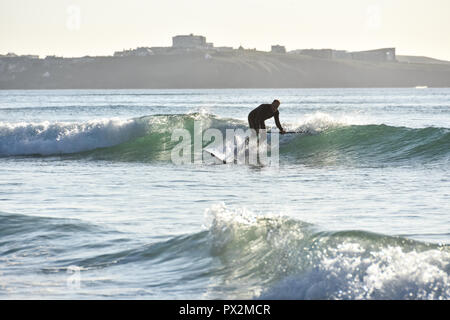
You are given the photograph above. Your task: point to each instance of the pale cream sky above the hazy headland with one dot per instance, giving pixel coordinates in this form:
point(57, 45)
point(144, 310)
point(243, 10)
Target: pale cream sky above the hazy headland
point(74, 28)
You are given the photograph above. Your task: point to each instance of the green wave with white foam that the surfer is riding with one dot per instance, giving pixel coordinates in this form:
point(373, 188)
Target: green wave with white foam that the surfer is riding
point(321, 139)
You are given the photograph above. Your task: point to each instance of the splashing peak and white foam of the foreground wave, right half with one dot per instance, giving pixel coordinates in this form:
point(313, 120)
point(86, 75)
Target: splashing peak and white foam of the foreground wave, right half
point(298, 263)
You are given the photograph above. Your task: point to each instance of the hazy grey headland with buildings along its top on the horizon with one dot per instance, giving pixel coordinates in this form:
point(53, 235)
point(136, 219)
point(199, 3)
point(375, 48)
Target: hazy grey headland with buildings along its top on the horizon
point(223, 67)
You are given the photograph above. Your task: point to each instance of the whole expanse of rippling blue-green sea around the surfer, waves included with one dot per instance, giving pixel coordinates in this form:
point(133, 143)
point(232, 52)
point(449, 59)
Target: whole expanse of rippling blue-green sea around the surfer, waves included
point(92, 207)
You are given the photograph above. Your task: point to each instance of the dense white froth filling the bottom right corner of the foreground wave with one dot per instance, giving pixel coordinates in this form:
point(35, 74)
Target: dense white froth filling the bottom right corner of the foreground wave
point(388, 273)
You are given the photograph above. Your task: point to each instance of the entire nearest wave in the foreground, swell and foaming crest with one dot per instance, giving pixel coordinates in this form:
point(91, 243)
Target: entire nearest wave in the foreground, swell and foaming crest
point(241, 254)
